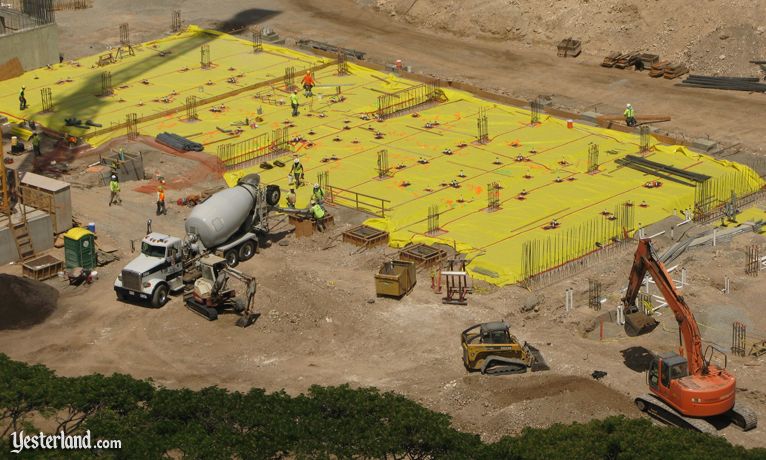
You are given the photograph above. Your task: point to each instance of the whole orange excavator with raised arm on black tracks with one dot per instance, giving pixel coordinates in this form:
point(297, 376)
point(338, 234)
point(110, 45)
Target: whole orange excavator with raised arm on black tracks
point(684, 389)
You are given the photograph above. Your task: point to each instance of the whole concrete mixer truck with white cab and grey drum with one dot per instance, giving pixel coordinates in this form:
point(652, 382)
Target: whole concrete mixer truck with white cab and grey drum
point(226, 224)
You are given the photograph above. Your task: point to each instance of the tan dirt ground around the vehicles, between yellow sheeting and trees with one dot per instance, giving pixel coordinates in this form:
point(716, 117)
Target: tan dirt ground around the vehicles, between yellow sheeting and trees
point(321, 323)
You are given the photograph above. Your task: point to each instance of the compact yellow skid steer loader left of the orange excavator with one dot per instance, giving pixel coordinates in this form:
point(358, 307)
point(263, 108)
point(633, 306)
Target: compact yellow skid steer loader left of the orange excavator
point(491, 349)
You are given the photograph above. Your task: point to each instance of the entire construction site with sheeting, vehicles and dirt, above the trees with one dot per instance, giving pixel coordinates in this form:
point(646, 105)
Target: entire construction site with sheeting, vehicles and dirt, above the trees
point(511, 227)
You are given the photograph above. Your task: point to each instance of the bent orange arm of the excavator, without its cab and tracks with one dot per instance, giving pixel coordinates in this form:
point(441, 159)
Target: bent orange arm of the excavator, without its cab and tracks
point(646, 260)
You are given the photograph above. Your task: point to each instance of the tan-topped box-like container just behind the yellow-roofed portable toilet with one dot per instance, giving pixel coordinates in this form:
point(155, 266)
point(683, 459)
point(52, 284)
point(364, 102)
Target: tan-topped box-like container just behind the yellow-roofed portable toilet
point(49, 195)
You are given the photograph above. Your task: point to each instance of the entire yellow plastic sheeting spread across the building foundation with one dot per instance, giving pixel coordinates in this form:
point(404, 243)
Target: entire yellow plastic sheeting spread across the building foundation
point(336, 123)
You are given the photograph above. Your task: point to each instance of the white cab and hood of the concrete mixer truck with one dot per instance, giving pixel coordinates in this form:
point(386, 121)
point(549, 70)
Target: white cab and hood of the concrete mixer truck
point(156, 272)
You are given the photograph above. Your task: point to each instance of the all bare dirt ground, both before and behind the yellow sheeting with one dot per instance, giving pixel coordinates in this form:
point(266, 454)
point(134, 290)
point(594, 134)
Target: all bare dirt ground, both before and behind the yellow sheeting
point(321, 322)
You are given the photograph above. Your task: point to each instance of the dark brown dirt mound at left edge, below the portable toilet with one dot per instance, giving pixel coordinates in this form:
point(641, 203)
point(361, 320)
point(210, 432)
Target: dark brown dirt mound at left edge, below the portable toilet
point(25, 302)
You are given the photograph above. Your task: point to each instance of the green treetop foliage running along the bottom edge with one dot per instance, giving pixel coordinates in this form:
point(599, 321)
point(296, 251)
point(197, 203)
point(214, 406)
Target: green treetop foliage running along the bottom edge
point(326, 422)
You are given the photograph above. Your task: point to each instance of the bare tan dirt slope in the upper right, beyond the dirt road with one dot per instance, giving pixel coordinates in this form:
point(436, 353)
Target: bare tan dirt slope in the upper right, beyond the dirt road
point(709, 37)
